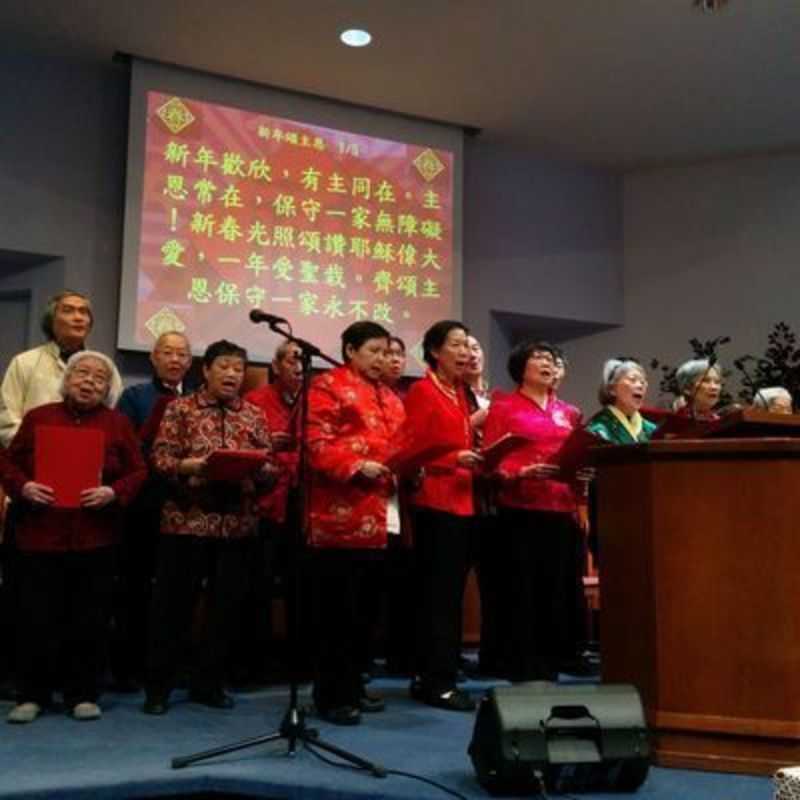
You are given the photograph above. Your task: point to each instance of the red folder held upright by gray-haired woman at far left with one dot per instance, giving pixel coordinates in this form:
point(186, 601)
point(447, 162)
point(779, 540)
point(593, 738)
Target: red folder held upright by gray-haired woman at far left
point(68, 460)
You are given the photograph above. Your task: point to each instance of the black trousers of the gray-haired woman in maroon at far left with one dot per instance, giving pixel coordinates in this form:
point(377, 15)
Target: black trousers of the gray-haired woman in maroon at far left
point(64, 604)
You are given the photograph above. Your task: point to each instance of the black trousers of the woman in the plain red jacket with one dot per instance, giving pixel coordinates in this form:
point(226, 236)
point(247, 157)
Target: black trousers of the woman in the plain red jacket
point(444, 546)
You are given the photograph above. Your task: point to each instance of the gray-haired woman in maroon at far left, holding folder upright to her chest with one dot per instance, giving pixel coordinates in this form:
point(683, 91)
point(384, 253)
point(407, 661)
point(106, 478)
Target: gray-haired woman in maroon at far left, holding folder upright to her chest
point(65, 560)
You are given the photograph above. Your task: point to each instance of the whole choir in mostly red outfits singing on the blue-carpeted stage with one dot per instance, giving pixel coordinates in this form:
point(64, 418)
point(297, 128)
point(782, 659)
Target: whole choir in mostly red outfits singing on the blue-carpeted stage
point(403, 489)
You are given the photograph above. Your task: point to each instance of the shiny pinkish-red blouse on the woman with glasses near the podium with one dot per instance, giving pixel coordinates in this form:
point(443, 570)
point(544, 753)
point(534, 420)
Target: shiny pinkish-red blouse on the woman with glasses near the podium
point(547, 428)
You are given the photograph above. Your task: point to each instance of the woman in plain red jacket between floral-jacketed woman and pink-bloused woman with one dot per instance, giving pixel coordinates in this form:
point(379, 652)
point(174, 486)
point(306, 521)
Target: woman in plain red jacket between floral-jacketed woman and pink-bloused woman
point(438, 435)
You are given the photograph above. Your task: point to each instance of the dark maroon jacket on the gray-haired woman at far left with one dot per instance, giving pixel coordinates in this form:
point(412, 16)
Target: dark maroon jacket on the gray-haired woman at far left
point(48, 529)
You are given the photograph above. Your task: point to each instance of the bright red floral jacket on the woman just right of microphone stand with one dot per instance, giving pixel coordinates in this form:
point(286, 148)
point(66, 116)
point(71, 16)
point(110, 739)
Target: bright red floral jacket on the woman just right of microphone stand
point(350, 420)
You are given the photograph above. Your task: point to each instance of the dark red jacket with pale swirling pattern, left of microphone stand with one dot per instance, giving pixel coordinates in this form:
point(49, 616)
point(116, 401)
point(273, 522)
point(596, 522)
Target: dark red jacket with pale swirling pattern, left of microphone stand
point(193, 427)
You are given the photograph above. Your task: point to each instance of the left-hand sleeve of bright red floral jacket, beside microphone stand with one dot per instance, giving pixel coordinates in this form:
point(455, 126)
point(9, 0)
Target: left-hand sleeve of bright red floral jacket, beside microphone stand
point(329, 452)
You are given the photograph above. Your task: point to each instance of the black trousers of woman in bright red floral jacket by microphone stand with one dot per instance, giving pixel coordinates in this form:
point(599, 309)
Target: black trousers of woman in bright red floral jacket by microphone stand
point(341, 624)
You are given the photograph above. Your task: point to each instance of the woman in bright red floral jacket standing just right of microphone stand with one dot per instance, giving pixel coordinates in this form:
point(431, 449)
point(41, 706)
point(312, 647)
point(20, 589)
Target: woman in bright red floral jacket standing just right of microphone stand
point(353, 422)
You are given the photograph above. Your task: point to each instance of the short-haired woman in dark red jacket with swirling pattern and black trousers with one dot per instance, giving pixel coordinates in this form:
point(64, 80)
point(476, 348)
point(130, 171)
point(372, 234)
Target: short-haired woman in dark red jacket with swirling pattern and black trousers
point(207, 526)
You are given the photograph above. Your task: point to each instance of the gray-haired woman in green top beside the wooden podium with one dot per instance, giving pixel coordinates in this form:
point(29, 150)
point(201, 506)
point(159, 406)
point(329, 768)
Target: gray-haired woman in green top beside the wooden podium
point(622, 394)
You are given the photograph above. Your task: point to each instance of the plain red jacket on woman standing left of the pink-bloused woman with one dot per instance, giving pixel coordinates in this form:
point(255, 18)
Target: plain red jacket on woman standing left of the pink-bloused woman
point(434, 416)
